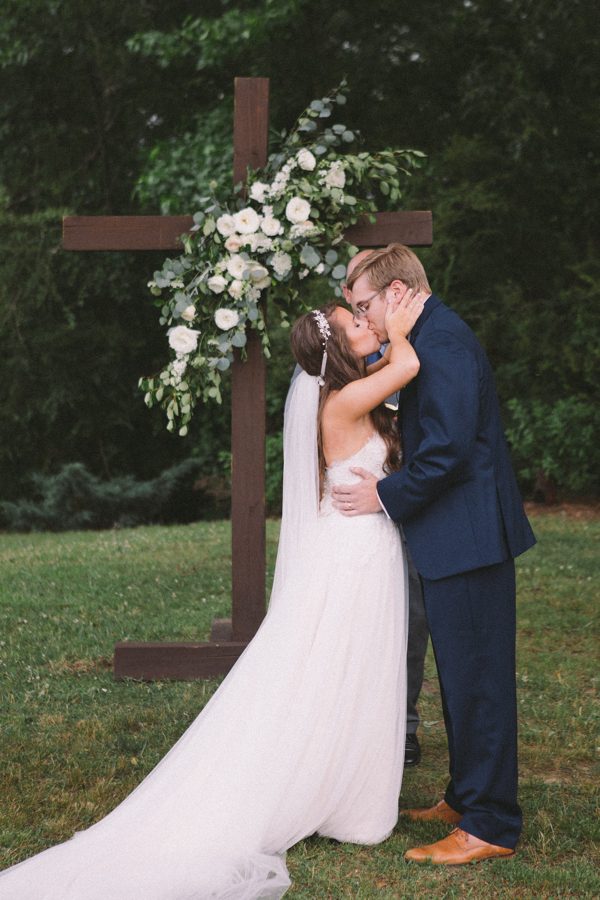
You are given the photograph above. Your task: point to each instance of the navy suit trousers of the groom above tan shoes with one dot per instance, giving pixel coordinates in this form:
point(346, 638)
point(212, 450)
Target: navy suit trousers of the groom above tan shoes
point(472, 623)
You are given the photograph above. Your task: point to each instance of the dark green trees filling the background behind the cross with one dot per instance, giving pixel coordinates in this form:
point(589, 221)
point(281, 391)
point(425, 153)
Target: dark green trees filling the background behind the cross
point(126, 108)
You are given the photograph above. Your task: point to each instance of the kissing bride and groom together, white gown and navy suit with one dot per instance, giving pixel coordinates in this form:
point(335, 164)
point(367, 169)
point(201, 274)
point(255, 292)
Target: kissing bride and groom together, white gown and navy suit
point(307, 732)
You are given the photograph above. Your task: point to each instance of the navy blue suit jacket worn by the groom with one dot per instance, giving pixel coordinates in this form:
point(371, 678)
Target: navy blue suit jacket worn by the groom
point(456, 495)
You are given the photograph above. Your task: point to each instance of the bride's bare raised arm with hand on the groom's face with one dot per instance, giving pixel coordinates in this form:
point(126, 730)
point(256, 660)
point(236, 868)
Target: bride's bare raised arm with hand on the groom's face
point(359, 397)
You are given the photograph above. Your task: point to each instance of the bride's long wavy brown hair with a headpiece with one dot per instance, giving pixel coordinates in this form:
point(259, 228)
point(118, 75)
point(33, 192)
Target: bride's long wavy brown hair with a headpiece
point(342, 368)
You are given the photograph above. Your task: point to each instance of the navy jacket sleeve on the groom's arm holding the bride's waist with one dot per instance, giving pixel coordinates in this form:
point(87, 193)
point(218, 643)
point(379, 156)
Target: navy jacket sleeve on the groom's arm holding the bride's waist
point(448, 405)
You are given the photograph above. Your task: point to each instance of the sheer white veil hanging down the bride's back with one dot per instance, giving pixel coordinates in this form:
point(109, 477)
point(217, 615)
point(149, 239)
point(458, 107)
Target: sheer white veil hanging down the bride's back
point(300, 476)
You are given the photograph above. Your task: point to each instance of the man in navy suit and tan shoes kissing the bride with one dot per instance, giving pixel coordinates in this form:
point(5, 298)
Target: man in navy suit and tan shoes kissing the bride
point(457, 500)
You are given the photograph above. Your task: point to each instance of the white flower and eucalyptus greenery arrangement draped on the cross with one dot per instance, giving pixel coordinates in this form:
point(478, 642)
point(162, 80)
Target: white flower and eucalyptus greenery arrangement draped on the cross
point(284, 225)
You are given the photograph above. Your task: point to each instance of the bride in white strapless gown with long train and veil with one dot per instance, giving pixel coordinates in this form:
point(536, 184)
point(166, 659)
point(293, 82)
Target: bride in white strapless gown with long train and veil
point(306, 733)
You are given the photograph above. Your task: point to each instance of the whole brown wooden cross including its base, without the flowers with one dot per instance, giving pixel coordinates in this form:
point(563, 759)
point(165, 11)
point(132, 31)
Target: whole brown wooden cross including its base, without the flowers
point(229, 637)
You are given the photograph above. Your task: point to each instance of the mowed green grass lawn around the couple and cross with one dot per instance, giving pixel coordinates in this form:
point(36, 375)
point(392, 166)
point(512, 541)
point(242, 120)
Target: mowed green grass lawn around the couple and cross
point(74, 742)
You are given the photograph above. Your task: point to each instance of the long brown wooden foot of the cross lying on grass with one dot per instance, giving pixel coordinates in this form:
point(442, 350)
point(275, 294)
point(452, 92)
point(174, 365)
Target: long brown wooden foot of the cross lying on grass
point(149, 660)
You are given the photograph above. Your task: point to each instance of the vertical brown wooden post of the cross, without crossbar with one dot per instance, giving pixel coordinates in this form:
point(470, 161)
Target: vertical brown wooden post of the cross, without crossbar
point(250, 141)
